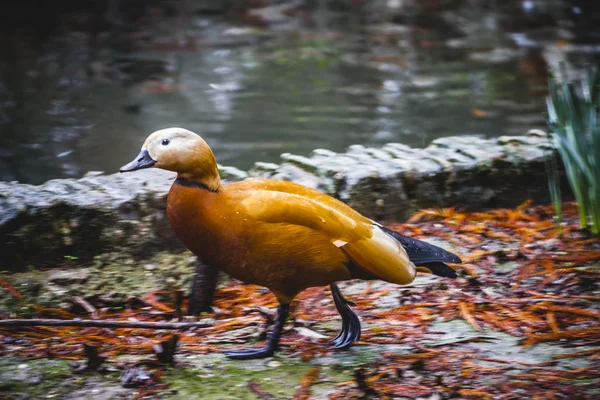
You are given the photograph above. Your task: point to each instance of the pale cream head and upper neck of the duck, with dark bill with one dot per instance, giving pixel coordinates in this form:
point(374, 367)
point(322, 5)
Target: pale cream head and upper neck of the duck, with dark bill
point(181, 151)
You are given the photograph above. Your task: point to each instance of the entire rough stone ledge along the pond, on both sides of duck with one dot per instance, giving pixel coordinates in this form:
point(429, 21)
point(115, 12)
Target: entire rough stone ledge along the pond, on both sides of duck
point(68, 222)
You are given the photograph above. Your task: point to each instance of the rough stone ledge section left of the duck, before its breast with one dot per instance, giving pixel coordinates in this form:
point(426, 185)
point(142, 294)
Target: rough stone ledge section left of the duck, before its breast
point(68, 221)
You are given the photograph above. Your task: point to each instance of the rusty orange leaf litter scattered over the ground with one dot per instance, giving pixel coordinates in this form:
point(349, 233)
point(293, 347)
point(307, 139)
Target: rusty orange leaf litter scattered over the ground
point(524, 279)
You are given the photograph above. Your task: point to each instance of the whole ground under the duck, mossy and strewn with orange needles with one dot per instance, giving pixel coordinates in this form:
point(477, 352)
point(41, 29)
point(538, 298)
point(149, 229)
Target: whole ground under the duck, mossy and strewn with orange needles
point(521, 321)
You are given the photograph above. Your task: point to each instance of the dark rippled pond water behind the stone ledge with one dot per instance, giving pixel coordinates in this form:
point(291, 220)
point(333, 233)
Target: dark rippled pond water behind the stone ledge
point(84, 92)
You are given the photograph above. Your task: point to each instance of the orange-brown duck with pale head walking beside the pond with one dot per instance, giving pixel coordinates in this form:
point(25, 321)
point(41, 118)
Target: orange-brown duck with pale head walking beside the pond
point(279, 234)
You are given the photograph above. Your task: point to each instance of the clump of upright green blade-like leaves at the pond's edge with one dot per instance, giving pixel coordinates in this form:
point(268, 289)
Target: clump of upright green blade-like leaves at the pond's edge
point(574, 121)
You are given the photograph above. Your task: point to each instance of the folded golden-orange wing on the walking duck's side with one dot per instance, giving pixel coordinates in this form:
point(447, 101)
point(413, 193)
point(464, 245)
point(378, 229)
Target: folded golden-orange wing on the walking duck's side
point(364, 242)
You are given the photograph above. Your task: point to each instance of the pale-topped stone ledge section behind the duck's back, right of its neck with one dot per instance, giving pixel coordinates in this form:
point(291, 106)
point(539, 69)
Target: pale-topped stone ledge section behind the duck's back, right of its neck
point(392, 182)
